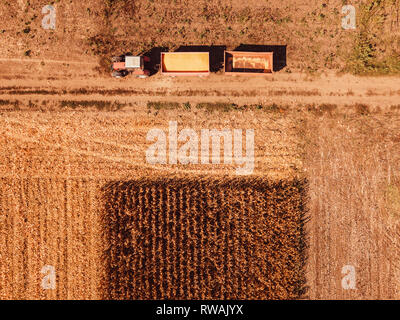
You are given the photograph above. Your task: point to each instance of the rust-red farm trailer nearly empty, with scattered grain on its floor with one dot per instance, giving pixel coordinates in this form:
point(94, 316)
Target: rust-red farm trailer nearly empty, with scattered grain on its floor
point(242, 62)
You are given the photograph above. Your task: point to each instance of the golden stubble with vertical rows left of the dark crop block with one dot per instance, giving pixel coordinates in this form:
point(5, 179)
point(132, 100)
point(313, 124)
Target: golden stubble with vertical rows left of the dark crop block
point(49, 221)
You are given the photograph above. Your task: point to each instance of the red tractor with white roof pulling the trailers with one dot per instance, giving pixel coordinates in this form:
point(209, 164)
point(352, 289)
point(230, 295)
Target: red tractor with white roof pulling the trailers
point(129, 64)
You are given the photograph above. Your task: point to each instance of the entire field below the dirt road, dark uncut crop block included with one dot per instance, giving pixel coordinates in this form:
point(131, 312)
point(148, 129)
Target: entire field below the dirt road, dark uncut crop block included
point(61, 169)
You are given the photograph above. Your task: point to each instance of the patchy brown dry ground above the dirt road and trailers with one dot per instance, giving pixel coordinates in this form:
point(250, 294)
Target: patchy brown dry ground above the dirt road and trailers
point(310, 31)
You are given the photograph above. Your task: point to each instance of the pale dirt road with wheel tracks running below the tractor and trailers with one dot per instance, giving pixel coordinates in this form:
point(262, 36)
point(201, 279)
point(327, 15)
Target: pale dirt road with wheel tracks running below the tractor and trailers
point(59, 80)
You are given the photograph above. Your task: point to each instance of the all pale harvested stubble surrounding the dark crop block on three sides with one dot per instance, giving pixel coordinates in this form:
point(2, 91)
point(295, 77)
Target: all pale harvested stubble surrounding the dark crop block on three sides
point(55, 164)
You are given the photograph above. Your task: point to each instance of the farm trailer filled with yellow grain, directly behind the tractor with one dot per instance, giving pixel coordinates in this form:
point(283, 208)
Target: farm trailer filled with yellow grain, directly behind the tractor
point(185, 63)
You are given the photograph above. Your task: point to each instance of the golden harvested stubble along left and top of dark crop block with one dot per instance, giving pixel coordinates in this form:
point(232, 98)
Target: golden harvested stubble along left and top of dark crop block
point(55, 165)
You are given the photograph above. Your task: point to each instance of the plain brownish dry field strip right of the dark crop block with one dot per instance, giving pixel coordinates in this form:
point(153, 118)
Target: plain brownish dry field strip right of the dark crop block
point(352, 164)
